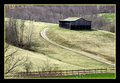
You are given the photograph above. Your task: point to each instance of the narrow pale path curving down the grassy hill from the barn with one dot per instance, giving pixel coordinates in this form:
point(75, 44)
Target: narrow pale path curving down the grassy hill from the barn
point(80, 52)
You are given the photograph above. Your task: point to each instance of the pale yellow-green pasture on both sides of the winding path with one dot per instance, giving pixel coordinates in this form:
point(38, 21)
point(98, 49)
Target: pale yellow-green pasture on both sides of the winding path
point(100, 42)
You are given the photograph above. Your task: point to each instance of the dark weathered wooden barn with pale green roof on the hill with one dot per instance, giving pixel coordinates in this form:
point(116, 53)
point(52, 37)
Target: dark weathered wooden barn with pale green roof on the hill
point(75, 23)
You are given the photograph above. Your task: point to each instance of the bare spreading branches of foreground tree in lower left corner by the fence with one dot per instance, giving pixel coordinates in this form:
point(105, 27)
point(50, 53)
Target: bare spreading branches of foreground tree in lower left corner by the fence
point(12, 61)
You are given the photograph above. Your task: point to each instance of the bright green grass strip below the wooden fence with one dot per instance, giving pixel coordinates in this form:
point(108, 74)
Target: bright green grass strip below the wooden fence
point(86, 76)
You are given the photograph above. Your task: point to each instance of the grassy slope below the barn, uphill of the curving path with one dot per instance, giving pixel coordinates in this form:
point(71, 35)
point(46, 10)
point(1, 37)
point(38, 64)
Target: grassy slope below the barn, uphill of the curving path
point(101, 43)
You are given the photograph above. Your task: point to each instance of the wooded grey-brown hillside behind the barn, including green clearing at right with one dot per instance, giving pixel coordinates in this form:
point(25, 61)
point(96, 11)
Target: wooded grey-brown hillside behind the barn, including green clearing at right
point(53, 13)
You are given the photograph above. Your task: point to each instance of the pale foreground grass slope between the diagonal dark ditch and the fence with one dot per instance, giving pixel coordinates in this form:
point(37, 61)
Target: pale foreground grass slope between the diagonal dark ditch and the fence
point(38, 59)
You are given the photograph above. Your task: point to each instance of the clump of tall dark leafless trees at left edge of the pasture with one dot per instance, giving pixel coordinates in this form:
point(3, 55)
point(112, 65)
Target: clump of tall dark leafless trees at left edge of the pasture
point(12, 35)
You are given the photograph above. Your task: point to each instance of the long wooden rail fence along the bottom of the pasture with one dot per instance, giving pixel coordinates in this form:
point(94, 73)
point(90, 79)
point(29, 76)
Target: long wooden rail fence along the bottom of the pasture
point(62, 73)
